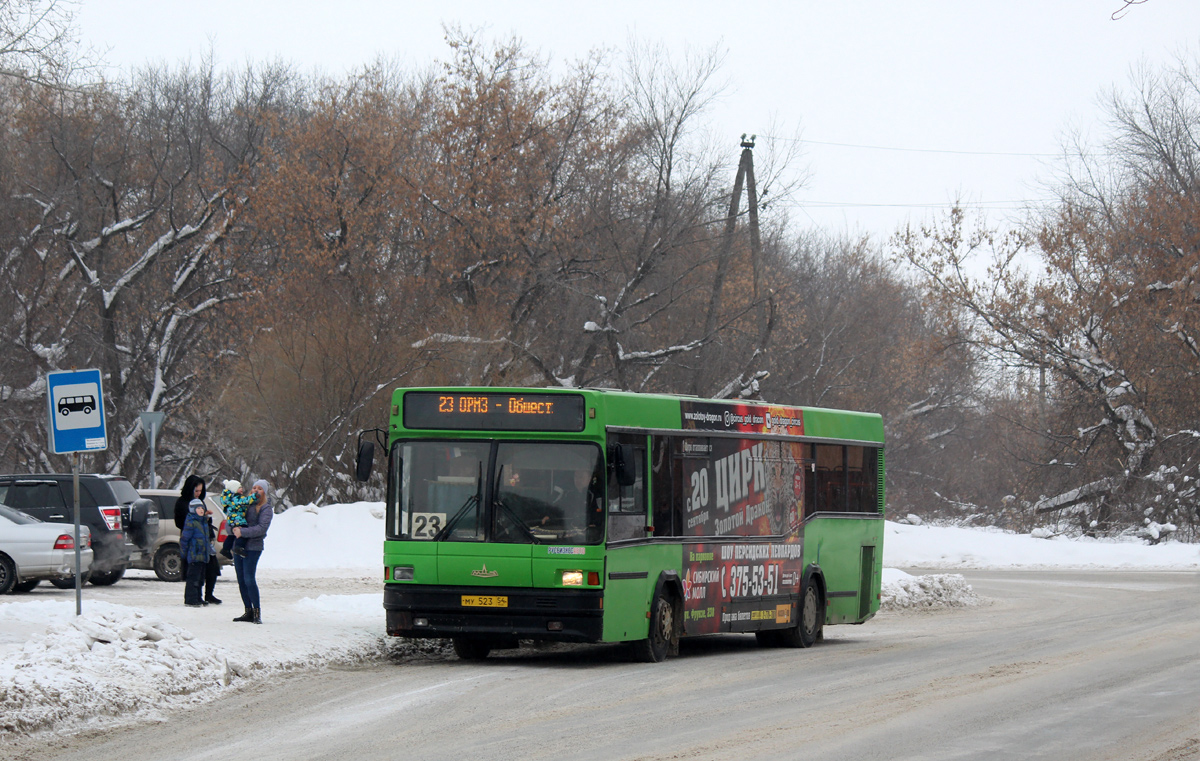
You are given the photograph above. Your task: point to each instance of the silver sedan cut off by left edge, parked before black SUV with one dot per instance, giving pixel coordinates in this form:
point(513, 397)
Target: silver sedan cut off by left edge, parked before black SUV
point(32, 552)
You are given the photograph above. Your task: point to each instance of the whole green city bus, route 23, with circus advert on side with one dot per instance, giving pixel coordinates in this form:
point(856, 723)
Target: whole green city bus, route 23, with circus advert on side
point(590, 516)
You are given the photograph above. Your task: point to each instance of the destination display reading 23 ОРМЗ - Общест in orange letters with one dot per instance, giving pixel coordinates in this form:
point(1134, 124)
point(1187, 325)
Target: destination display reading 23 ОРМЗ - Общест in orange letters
point(494, 412)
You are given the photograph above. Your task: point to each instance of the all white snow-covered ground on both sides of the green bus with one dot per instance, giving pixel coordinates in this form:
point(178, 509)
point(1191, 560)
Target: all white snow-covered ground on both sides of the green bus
point(137, 652)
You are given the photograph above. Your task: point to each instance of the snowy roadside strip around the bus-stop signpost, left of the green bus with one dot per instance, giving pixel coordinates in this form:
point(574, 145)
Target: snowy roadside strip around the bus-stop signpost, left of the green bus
point(117, 661)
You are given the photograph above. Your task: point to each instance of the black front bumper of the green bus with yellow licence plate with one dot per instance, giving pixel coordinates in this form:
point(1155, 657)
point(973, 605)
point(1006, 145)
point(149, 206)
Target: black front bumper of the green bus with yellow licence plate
point(529, 614)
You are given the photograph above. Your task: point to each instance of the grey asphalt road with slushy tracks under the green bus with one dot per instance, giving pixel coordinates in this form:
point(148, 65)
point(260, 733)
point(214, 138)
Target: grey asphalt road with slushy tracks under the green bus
point(1057, 666)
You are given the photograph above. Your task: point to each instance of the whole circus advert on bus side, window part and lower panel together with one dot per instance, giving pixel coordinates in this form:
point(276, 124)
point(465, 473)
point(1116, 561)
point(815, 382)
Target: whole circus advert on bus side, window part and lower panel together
point(741, 489)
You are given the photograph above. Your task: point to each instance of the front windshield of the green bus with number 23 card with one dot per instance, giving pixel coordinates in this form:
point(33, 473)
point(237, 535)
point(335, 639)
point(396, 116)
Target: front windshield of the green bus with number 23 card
point(523, 493)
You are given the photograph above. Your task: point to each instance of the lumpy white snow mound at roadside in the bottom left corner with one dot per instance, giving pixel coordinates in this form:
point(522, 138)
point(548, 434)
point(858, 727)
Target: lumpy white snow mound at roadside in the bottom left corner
point(111, 661)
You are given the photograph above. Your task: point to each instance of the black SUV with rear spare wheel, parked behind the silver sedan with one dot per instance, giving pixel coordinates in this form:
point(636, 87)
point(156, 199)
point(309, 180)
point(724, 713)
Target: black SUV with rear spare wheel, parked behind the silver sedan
point(124, 526)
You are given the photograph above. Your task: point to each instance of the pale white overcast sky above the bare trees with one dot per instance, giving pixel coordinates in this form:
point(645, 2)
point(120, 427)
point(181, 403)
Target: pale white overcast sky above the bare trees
point(917, 94)
